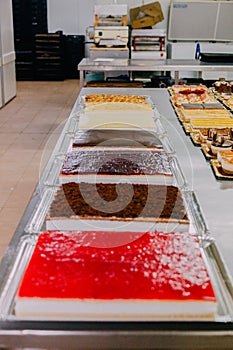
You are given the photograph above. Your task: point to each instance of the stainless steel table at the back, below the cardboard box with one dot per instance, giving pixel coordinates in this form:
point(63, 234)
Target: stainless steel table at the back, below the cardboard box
point(134, 65)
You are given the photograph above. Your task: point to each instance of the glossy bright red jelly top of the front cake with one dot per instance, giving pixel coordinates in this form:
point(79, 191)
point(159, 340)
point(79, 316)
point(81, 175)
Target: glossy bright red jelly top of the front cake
point(154, 266)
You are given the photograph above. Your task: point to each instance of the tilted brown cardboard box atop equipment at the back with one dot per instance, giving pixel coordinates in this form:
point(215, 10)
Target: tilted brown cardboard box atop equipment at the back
point(146, 15)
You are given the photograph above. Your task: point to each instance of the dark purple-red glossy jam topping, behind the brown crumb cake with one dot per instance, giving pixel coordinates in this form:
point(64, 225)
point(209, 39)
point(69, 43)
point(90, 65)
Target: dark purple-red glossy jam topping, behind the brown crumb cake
point(121, 162)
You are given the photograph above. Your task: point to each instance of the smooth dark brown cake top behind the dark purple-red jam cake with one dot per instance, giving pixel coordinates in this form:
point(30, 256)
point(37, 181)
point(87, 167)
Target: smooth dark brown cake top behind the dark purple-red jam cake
point(116, 138)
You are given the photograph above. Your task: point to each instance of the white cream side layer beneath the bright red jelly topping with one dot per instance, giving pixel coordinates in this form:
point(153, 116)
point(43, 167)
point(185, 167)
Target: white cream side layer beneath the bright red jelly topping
point(117, 309)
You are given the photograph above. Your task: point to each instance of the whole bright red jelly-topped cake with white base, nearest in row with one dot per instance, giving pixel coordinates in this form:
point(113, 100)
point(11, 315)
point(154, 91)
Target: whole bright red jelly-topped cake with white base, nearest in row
point(94, 276)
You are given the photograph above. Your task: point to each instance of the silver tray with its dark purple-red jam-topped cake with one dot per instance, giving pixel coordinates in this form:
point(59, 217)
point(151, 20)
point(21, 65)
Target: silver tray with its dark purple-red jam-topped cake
point(104, 157)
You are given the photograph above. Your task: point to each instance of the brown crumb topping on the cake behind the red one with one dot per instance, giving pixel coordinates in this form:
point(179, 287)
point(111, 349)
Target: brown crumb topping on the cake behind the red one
point(118, 201)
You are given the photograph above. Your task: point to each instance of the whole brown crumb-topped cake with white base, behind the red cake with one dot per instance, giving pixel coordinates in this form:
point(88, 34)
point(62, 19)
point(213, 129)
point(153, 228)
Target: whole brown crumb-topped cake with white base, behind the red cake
point(135, 207)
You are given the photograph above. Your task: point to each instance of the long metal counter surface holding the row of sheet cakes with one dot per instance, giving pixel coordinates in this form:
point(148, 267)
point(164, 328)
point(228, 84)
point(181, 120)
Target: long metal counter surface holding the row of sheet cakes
point(215, 199)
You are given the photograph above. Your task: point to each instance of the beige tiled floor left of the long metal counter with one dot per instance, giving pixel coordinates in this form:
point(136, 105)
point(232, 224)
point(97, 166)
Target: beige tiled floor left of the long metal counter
point(29, 127)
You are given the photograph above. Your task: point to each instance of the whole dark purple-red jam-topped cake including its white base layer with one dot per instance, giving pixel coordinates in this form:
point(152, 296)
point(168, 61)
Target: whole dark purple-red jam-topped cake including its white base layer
point(109, 165)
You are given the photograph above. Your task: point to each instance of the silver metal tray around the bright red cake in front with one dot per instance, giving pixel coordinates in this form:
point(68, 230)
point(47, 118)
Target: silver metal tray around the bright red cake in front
point(209, 252)
